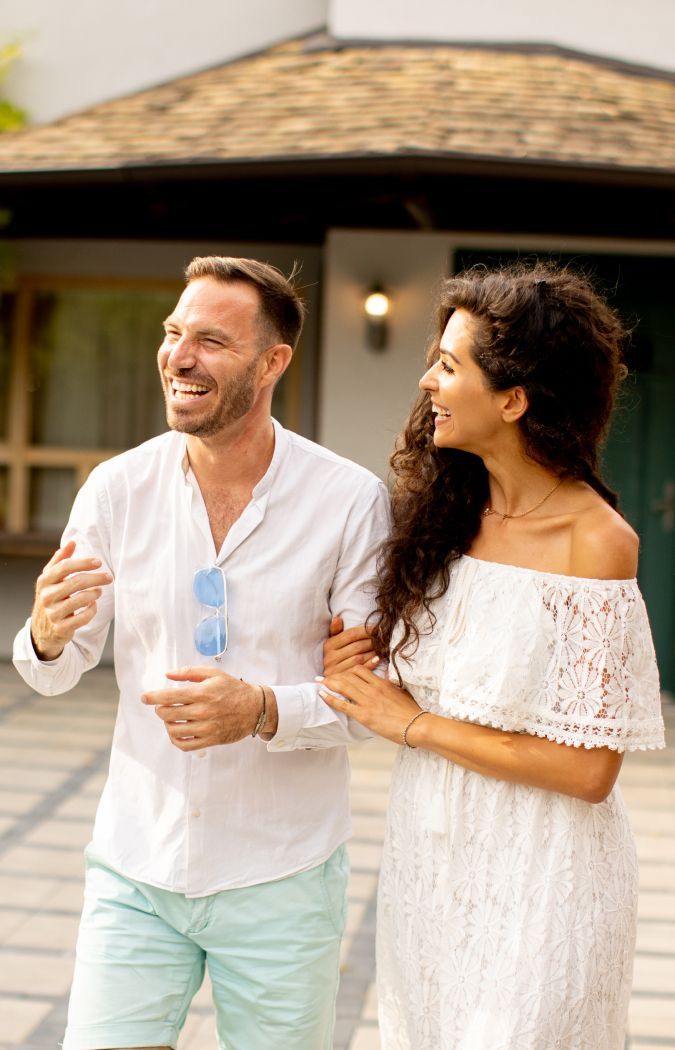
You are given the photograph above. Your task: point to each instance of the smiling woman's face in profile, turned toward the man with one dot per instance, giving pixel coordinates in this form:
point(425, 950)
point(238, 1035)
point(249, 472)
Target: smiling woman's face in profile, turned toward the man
point(468, 414)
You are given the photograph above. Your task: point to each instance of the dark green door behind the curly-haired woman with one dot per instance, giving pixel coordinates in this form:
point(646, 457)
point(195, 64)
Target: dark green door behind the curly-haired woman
point(640, 457)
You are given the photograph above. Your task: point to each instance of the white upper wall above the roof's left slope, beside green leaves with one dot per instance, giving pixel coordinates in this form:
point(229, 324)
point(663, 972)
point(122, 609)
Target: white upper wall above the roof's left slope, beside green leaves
point(86, 52)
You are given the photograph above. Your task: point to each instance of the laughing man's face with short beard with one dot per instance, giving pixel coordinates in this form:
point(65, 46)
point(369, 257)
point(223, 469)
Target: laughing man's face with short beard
point(209, 359)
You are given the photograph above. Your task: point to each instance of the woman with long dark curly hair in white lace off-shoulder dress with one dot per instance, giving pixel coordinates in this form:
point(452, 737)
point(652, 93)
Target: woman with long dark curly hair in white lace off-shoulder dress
point(525, 668)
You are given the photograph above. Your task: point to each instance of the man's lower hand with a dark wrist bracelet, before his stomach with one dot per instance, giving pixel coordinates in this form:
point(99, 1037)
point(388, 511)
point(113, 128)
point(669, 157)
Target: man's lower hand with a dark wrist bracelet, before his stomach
point(212, 708)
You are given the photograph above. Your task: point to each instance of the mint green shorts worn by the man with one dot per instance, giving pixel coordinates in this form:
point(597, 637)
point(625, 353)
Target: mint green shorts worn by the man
point(272, 953)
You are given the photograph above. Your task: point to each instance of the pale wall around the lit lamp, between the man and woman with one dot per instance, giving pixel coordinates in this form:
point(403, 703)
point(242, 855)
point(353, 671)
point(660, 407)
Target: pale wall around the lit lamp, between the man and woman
point(366, 396)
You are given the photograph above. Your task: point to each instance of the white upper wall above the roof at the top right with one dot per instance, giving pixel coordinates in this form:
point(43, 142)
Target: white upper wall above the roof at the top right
point(642, 33)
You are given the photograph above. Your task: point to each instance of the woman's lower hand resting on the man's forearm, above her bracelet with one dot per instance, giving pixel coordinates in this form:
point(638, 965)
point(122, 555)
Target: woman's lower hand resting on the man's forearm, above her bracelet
point(377, 704)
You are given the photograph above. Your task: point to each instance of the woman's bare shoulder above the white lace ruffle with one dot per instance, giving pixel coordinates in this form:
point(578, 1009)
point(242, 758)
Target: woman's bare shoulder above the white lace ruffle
point(604, 547)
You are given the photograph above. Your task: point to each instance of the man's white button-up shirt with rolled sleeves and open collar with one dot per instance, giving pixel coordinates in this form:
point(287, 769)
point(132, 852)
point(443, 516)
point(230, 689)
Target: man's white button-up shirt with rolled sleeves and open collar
point(303, 551)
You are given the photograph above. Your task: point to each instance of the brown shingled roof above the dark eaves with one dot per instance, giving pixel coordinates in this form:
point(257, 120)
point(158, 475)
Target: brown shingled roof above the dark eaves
point(313, 99)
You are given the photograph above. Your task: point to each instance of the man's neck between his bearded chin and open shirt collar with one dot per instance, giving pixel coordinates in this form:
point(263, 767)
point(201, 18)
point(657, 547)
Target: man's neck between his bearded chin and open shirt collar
point(238, 457)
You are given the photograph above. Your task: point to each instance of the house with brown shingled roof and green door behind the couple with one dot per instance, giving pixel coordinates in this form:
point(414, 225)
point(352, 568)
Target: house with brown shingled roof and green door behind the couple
point(375, 161)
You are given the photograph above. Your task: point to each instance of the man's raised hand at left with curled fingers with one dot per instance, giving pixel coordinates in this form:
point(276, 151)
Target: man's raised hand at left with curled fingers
point(66, 599)
